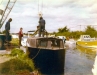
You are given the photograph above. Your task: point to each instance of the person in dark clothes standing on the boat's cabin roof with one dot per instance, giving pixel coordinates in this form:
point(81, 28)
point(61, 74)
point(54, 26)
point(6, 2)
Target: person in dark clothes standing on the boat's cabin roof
point(41, 27)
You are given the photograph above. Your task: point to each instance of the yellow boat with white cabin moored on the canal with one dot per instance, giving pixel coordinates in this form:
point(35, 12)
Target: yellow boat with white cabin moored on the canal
point(87, 41)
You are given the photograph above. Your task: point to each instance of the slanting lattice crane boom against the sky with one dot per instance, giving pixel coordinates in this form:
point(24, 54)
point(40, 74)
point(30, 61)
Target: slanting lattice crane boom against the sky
point(6, 12)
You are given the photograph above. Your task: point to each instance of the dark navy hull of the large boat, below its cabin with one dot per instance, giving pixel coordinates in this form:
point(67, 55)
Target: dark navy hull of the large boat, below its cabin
point(49, 62)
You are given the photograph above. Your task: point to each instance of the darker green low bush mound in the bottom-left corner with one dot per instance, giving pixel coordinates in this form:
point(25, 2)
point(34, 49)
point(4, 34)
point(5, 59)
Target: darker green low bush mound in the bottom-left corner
point(13, 66)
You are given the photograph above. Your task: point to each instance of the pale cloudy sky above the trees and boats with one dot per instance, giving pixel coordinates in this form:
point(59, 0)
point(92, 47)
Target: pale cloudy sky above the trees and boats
point(75, 14)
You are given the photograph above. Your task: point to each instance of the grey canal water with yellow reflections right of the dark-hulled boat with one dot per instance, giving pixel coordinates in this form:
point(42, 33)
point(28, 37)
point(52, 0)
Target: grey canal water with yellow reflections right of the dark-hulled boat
point(79, 60)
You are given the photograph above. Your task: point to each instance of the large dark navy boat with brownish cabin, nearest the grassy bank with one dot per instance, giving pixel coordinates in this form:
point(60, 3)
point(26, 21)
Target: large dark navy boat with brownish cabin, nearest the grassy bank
point(48, 54)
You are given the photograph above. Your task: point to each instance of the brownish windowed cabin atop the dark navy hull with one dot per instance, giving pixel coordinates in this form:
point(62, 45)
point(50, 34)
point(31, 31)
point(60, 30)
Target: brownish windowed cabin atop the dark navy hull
point(45, 43)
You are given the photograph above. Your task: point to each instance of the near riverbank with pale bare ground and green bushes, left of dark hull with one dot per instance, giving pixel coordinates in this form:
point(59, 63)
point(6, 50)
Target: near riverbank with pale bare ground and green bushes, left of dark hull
point(11, 62)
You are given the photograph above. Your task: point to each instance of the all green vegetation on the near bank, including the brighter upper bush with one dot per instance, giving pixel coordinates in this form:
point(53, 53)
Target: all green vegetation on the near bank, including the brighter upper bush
point(19, 63)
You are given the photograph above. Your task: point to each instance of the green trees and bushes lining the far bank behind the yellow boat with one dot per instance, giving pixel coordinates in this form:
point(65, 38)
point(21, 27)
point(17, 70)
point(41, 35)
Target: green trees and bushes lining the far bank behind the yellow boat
point(76, 34)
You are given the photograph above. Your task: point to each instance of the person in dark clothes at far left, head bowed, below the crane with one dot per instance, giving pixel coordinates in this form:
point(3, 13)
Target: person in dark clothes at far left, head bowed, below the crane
point(7, 30)
